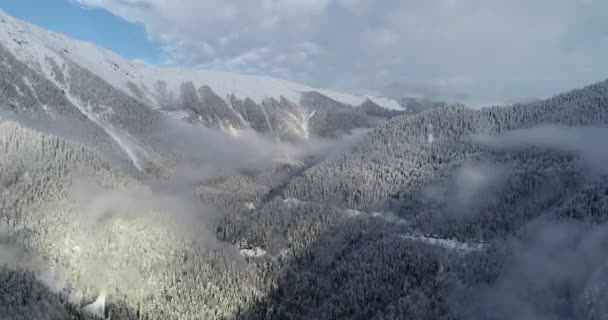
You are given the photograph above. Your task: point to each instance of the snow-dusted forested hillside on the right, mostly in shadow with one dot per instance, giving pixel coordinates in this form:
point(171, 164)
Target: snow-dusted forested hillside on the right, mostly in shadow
point(493, 202)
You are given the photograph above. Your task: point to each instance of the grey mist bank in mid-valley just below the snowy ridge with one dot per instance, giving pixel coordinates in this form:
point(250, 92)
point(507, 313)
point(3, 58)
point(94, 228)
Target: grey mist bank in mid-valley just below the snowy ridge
point(215, 153)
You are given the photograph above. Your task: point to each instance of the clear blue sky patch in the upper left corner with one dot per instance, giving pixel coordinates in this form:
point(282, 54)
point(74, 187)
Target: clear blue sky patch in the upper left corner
point(89, 24)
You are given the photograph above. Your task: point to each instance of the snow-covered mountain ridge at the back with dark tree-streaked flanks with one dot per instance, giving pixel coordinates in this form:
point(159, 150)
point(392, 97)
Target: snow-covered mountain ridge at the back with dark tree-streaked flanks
point(50, 72)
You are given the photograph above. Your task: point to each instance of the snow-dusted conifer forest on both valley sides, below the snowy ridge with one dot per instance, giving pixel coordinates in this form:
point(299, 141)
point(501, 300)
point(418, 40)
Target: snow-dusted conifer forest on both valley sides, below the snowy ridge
point(449, 214)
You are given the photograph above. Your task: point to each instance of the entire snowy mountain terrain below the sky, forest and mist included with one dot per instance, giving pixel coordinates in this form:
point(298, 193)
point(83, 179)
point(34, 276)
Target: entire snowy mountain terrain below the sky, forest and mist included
point(128, 194)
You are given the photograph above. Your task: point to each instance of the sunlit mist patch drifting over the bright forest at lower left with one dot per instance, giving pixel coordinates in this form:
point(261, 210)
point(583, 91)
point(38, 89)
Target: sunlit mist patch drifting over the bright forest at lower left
point(178, 204)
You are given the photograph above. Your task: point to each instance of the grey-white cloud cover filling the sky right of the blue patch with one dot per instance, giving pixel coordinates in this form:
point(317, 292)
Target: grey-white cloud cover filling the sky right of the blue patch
point(472, 50)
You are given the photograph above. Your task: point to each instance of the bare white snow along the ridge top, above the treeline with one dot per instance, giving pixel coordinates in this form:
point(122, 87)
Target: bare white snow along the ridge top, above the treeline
point(33, 45)
